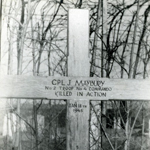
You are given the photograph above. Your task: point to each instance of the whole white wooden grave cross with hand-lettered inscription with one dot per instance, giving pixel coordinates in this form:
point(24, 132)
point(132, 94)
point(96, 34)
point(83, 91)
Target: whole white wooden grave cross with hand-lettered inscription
point(78, 88)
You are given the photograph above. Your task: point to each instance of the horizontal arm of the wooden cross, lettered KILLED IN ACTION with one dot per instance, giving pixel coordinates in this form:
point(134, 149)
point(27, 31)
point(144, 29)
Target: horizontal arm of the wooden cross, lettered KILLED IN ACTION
point(74, 88)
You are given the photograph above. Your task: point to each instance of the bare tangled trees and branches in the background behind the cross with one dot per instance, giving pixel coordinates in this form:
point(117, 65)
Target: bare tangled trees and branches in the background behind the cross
point(34, 42)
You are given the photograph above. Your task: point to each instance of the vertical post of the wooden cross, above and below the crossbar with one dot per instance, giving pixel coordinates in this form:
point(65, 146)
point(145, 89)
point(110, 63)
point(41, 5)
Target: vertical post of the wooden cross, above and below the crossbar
point(78, 65)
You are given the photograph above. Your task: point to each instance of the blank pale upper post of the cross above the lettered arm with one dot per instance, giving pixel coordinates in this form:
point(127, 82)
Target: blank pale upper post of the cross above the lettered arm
point(78, 43)
